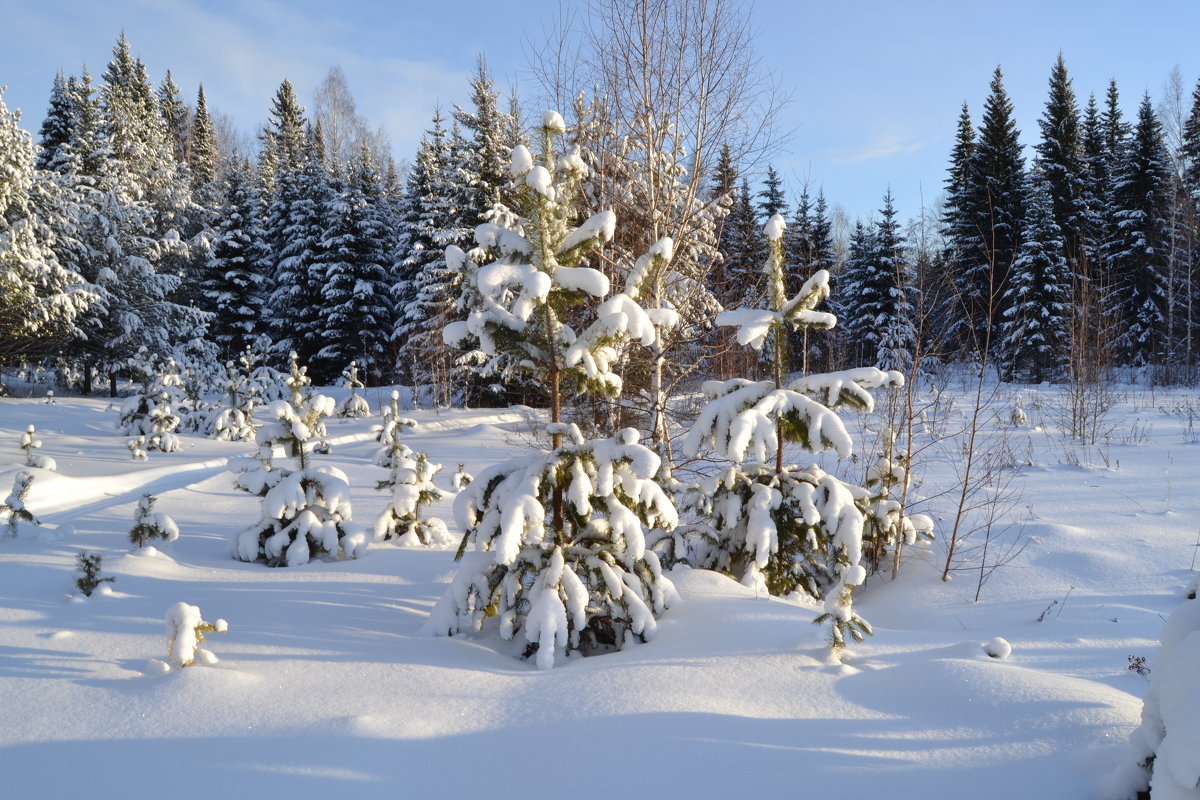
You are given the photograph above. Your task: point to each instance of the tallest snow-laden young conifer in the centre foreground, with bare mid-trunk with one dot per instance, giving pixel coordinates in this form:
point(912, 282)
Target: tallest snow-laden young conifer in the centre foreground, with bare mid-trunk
point(555, 544)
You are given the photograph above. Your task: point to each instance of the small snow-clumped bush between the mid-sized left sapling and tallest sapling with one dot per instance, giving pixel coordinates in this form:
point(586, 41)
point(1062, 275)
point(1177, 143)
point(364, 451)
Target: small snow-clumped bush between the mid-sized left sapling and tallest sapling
point(412, 489)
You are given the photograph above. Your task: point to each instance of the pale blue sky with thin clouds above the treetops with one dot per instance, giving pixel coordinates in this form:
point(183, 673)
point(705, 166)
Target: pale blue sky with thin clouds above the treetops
point(877, 87)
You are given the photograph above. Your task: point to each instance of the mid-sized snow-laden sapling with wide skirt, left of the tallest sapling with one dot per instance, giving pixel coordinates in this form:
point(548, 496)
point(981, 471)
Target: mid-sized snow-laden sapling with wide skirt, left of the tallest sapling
point(307, 512)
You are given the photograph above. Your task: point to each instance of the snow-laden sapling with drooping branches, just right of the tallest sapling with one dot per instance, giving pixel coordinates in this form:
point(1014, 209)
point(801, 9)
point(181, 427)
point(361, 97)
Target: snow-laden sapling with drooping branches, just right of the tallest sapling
point(781, 527)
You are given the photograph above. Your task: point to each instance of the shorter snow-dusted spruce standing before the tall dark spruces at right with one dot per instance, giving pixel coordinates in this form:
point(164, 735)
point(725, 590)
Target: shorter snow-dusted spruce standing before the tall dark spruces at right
point(1036, 328)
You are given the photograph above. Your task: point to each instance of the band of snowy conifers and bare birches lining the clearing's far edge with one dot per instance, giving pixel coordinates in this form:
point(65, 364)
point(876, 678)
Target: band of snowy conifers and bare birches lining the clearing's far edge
point(136, 220)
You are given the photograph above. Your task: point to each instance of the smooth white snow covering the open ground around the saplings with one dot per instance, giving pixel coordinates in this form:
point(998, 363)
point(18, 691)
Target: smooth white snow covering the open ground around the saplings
point(327, 685)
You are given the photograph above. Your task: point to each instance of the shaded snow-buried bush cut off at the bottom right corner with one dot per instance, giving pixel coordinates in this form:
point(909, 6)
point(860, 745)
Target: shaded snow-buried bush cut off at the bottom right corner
point(1166, 748)
